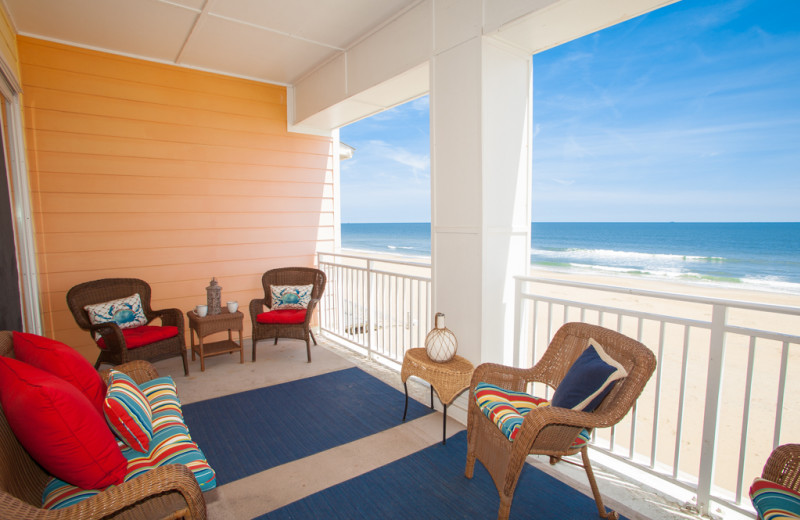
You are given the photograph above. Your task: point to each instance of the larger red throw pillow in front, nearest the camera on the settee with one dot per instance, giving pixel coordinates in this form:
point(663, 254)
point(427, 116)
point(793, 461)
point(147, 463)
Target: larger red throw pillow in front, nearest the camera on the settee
point(59, 427)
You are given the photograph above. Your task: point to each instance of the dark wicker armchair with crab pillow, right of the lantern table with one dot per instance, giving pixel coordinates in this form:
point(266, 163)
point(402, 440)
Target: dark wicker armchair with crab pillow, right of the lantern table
point(287, 276)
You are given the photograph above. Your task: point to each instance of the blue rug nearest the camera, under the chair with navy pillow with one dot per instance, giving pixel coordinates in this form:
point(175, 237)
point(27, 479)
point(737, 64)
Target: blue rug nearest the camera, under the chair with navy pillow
point(430, 484)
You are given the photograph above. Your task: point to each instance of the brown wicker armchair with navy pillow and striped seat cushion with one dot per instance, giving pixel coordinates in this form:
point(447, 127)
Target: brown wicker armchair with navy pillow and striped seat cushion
point(551, 430)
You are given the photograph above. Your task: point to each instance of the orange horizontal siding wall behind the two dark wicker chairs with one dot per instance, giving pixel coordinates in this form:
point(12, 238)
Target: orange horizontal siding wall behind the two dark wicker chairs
point(166, 174)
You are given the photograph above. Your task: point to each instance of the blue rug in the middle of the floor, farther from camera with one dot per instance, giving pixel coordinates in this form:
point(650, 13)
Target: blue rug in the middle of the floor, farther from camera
point(245, 433)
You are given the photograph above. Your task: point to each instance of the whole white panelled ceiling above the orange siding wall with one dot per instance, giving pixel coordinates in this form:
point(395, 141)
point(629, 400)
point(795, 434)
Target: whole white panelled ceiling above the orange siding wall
point(277, 41)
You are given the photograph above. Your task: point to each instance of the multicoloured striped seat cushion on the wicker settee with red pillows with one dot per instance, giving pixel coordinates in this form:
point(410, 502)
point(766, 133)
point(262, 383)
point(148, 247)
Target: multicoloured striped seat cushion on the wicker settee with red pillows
point(171, 444)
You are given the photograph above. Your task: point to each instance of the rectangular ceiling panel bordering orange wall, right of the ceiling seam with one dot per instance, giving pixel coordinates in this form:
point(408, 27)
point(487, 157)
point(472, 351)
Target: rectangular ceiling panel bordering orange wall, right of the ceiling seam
point(219, 44)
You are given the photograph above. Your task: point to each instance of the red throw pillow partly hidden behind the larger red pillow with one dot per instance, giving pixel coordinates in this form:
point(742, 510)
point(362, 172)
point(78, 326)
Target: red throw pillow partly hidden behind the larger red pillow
point(63, 361)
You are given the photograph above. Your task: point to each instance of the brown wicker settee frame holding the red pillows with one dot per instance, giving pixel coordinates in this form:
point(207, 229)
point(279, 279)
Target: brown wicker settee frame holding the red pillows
point(170, 491)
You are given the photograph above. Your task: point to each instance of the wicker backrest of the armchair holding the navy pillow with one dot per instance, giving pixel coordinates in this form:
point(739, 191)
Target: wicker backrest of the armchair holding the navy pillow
point(573, 338)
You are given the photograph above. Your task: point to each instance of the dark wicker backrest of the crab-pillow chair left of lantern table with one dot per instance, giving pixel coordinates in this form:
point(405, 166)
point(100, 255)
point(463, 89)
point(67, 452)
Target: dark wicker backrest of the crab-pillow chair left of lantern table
point(107, 289)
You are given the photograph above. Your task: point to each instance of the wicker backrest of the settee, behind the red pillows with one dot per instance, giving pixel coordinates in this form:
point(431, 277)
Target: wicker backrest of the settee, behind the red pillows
point(20, 475)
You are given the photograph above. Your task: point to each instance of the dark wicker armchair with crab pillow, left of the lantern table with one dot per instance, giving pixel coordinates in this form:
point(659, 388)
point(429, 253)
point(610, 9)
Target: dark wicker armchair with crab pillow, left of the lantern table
point(116, 351)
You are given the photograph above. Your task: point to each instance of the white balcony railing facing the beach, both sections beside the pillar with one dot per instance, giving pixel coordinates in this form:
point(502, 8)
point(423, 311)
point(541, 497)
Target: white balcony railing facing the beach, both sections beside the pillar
point(722, 397)
